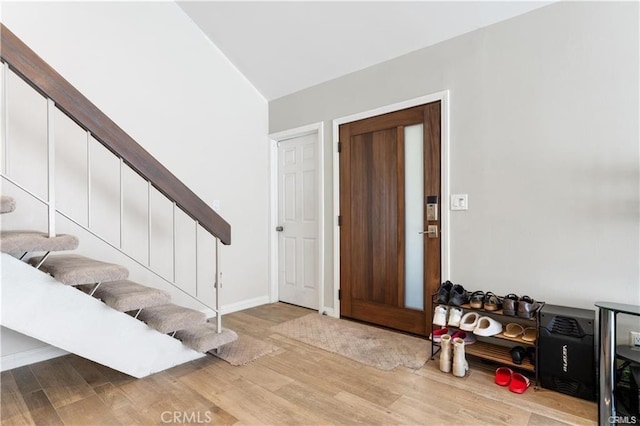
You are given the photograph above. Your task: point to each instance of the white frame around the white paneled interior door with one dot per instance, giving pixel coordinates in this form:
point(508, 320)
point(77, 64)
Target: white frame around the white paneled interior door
point(274, 138)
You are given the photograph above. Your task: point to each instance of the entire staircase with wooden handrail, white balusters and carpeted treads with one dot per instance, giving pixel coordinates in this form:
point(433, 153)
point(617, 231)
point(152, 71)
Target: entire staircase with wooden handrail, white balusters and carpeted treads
point(83, 305)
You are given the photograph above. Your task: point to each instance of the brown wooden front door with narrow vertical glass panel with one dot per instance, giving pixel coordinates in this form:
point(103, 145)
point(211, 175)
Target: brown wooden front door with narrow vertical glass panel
point(374, 232)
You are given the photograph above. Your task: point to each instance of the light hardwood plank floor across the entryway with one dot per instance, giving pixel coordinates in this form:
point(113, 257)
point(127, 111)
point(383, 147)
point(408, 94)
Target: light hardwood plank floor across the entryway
point(298, 384)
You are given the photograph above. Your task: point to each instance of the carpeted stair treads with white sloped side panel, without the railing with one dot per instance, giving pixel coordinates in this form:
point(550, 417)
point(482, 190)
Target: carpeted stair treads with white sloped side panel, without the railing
point(97, 312)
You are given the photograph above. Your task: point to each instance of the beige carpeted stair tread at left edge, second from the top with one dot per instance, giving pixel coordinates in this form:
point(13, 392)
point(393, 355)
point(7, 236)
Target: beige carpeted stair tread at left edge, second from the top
point(30, 241)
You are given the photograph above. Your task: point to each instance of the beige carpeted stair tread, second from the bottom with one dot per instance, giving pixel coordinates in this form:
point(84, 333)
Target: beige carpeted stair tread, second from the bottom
point(168, 318)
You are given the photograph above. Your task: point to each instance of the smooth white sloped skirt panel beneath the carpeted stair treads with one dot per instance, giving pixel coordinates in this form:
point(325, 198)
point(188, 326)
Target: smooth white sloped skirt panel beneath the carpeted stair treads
point(35, 304)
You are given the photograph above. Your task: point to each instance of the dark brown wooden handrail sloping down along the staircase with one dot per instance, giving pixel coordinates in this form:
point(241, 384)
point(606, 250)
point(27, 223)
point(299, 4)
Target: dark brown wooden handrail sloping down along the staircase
point(36, 72)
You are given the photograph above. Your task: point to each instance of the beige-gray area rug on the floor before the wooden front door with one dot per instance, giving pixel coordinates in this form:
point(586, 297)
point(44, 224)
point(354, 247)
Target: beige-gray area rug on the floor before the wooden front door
point(372, 346)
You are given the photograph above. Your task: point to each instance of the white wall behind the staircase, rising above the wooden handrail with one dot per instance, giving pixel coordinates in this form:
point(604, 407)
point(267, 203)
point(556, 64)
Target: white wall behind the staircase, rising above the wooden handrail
point(153, 72)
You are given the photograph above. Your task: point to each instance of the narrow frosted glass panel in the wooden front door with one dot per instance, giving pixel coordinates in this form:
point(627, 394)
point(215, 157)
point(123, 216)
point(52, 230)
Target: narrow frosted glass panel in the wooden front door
point(414, 216)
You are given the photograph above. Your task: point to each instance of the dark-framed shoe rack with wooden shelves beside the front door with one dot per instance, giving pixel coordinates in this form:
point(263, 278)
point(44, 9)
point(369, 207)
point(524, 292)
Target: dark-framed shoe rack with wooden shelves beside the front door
point(496, 348)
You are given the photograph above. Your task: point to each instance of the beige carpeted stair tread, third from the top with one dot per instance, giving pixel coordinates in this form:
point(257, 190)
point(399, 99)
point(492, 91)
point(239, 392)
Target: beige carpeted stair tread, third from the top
point(73, 269)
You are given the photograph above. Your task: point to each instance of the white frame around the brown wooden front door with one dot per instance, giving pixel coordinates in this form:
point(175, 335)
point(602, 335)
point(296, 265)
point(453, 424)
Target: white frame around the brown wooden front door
point(443, 97)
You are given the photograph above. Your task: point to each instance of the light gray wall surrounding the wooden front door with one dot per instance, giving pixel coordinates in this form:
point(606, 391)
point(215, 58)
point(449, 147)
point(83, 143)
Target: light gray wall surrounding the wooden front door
point(544, 139)
